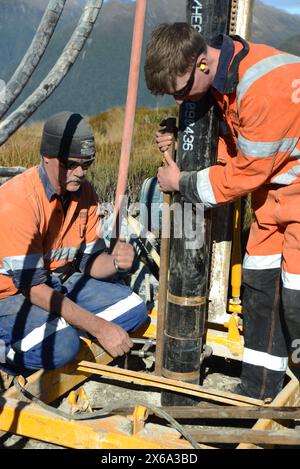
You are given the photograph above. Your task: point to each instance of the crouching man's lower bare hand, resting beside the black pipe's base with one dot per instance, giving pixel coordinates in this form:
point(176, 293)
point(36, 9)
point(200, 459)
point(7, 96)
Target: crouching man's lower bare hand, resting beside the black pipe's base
point(112, 338)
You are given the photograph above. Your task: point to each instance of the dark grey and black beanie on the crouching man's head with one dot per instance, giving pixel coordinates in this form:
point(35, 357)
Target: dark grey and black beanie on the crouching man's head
point(68, 134)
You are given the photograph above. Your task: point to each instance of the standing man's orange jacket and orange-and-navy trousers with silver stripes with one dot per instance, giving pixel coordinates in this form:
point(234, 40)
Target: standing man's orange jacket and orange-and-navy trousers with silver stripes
point(260, 154)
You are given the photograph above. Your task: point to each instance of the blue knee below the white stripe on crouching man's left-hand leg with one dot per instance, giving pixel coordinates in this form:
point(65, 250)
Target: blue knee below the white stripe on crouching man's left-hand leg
point(55, 351)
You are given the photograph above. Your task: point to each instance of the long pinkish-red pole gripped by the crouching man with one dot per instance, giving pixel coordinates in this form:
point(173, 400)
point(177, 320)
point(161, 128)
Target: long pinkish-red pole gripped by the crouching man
point(133, 81)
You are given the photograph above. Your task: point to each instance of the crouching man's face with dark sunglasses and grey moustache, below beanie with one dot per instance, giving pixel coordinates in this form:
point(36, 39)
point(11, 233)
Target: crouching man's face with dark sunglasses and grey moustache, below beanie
point(67, 174)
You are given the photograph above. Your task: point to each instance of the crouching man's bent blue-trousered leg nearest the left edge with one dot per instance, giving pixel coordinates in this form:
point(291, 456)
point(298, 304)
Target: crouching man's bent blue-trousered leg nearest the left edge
point(35, 339)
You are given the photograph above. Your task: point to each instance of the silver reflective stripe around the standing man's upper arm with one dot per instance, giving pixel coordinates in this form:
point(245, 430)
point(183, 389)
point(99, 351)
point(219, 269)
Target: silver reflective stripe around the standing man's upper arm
point(265, 149)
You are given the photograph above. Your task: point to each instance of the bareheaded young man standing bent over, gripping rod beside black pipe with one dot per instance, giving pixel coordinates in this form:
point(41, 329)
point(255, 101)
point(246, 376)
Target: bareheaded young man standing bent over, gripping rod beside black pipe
point(254, 87)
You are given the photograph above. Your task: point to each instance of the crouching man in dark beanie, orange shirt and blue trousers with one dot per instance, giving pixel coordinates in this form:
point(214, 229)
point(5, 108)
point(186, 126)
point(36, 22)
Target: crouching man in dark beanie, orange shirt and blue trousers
point(56, 277)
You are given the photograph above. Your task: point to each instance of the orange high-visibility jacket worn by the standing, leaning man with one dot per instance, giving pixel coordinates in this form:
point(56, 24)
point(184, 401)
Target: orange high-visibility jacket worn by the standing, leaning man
point(264, 118)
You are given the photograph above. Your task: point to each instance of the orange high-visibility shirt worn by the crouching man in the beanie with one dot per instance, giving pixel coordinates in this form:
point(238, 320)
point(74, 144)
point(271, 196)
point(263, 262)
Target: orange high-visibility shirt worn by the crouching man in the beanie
point(35, 236)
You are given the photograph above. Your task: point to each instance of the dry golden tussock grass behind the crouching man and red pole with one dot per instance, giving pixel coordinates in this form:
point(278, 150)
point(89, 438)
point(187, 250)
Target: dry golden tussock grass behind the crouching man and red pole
point(22, 149)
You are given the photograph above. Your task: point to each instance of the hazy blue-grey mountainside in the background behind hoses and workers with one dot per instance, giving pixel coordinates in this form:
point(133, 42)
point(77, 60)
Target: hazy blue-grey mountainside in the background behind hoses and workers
point(98, 80)
